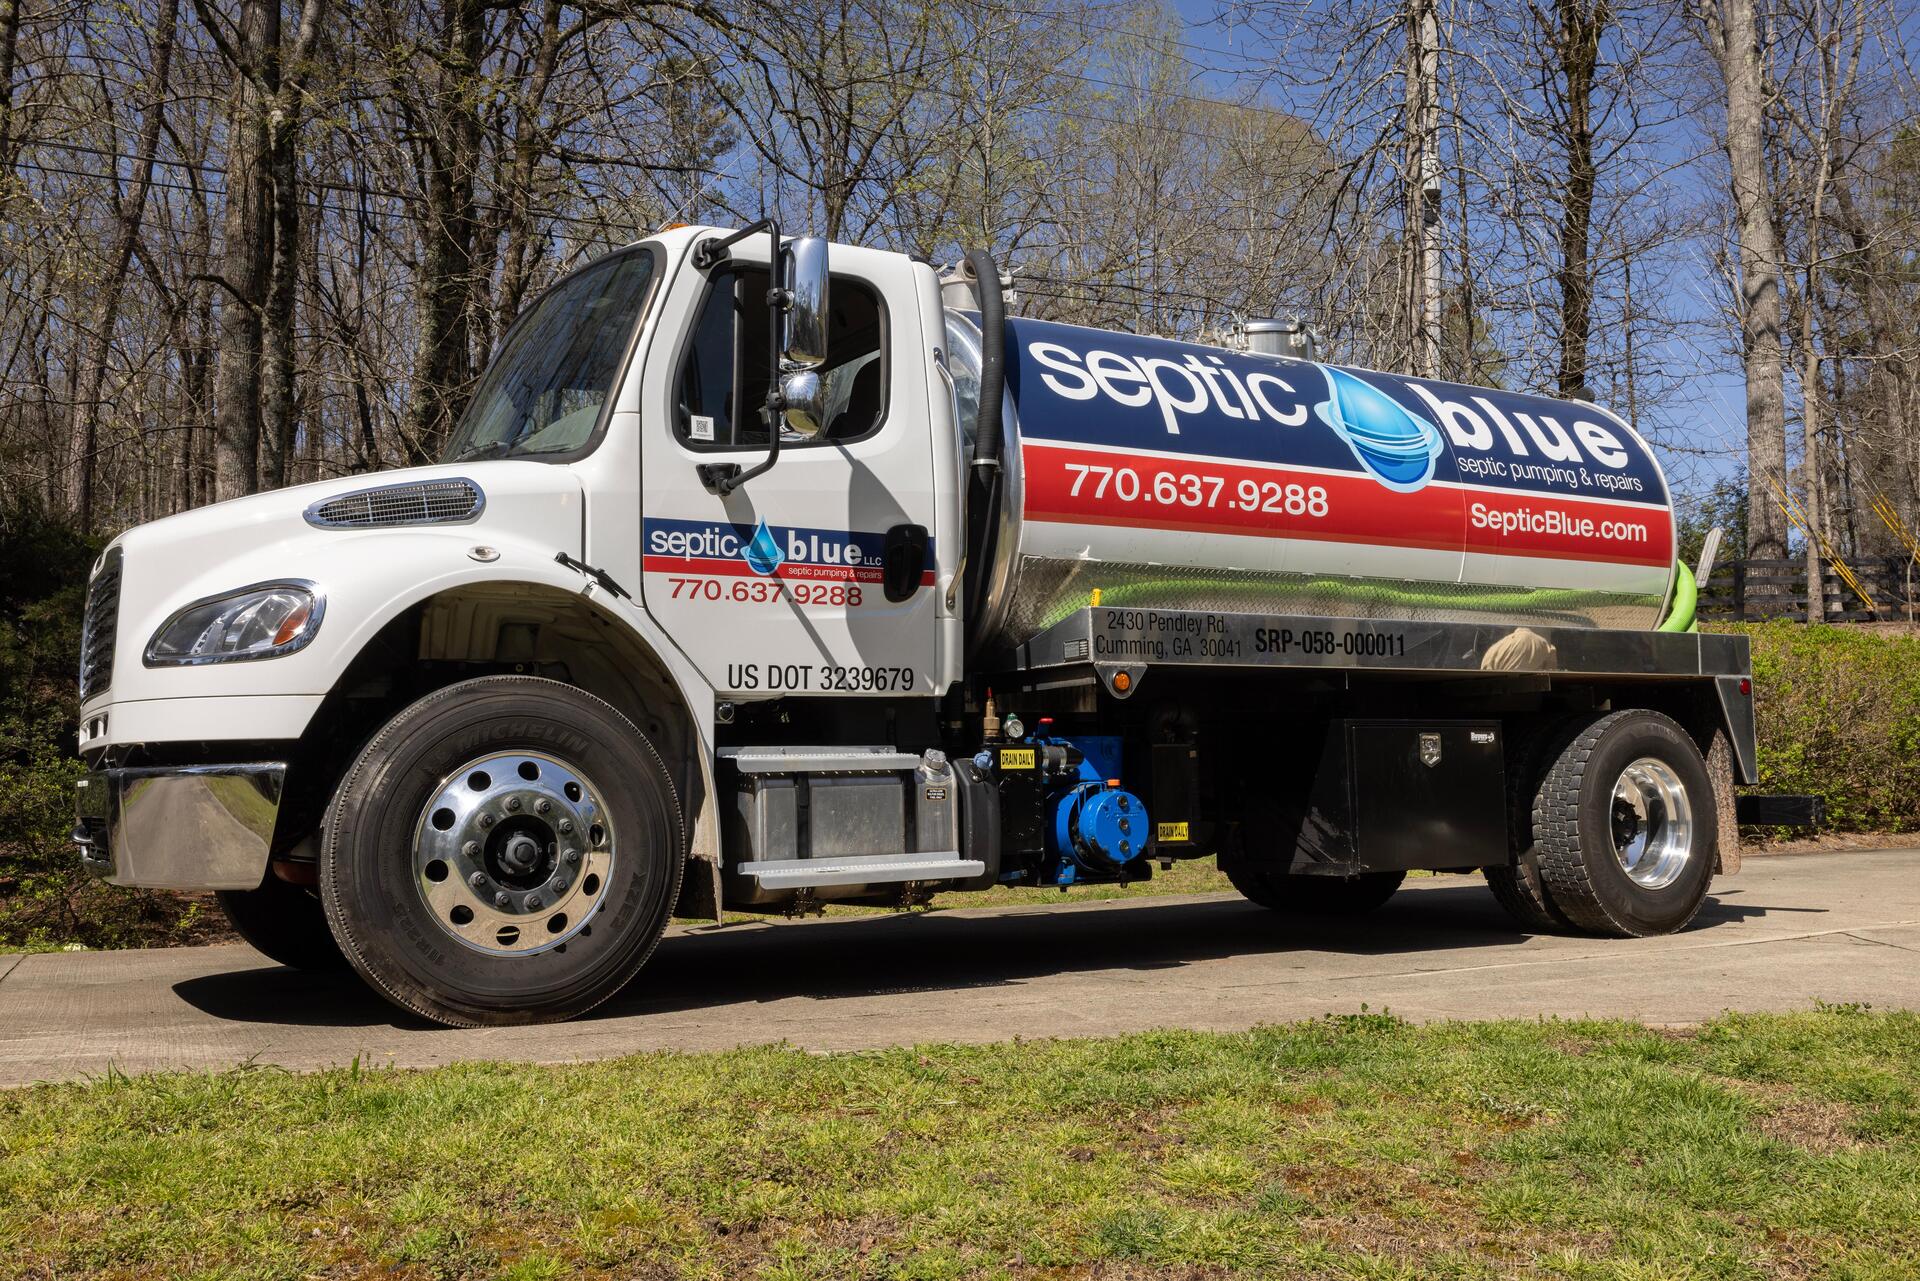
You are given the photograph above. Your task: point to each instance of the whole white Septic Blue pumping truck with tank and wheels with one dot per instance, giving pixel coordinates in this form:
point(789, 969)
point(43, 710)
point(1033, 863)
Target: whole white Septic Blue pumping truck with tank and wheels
point(756, 583)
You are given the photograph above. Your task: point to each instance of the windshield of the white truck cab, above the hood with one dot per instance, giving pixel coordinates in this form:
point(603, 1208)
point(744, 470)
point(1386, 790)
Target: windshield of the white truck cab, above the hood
point(550, 381)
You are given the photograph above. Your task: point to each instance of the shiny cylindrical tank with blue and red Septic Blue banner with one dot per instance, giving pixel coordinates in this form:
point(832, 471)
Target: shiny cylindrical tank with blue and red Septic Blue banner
point(1172, 475)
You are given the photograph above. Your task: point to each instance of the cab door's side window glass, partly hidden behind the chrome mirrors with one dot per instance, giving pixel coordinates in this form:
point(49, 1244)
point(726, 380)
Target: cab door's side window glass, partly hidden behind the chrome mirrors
point(723, 379)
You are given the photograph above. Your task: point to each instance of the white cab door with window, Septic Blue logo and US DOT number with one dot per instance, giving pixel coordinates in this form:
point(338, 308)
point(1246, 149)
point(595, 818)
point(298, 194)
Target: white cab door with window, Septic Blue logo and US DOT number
point(782, 587)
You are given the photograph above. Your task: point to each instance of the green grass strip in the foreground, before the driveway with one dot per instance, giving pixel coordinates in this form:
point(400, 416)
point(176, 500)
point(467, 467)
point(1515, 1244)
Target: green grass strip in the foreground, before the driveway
point(1351, 1148)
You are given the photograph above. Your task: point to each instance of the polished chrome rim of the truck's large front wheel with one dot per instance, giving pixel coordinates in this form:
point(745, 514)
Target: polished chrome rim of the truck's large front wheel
point(514, 852)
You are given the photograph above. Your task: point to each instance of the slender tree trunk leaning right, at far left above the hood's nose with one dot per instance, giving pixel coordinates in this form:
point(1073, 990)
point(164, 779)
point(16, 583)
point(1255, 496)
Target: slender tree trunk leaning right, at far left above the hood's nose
point(84, 422)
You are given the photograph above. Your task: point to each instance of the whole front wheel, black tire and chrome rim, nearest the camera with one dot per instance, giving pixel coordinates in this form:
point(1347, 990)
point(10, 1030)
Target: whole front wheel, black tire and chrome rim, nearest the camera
point(504, 852)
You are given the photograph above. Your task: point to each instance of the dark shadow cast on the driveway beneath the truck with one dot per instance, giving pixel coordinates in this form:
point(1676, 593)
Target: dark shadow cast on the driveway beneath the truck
point(940, 952)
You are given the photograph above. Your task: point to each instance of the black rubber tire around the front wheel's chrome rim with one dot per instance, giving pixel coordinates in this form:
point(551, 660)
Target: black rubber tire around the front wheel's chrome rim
point(377, 900)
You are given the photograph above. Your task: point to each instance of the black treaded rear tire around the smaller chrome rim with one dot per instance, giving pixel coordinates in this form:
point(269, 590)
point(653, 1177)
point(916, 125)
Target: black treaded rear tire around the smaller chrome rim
point(1575, 819)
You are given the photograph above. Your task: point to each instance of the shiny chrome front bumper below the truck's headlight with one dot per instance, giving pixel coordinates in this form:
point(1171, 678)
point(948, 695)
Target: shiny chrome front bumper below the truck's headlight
point(187, 827)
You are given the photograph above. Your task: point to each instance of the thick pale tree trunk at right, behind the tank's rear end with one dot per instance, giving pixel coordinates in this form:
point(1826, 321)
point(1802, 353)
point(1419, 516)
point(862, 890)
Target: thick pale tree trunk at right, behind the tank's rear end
point(1737, 43)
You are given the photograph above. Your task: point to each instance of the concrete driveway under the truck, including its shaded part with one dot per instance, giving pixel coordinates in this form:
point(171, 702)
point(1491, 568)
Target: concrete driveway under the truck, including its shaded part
point(1787, 932)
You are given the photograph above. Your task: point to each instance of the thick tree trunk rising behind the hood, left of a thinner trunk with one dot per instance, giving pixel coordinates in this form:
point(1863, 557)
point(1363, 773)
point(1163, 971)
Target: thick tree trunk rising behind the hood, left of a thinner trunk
point(247, 251)
